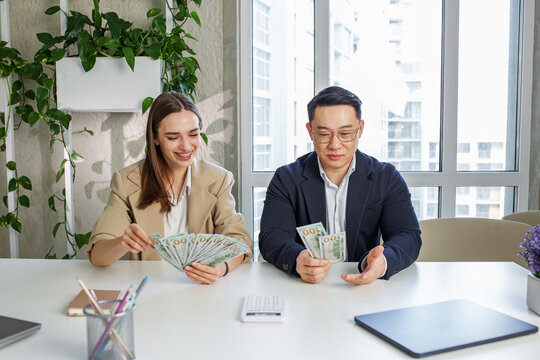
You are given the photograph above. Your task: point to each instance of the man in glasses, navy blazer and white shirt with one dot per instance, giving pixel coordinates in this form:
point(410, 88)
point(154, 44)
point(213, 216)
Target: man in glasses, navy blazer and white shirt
point(344, 189)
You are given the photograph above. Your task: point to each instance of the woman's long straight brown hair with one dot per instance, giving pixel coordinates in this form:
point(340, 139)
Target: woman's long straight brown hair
point(154, 168)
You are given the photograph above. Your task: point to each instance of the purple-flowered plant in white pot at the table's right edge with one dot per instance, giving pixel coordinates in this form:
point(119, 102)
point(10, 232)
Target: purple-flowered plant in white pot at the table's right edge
point(531, 254)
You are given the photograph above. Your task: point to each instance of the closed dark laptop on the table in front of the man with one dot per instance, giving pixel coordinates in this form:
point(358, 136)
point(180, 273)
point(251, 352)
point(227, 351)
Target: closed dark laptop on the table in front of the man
point(440, 327)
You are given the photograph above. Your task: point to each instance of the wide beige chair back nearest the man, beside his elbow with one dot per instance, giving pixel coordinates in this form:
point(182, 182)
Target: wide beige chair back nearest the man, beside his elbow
point(472, 239)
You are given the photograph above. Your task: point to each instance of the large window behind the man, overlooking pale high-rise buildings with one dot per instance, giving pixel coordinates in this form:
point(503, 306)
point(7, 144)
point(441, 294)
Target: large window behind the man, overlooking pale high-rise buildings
point(445, 85)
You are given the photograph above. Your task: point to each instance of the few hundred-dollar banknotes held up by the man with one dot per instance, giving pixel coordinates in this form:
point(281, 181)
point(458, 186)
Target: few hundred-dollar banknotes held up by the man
point(321, 245)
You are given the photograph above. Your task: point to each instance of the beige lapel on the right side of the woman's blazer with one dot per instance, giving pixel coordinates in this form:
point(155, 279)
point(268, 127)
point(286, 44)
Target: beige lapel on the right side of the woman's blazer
point(200, 201)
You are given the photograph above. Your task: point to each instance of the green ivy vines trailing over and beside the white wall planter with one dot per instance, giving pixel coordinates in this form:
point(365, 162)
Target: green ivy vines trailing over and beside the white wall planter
point(88, 37)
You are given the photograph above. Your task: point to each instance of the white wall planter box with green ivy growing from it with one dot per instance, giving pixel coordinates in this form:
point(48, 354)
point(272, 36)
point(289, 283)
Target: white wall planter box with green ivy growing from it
point(127, 64)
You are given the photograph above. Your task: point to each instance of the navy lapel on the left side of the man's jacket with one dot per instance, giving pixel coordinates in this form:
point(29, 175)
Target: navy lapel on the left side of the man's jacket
point(313, 191)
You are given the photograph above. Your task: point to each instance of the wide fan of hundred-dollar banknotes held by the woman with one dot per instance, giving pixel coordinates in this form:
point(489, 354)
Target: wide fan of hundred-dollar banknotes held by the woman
point(207, 249)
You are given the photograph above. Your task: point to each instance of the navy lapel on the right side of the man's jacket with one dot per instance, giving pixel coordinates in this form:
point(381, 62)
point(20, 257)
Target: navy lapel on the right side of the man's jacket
point(357, 197)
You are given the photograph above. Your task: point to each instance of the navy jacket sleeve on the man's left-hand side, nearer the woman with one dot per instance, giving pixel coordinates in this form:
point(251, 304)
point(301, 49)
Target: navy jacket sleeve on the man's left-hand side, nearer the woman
point(278, 226)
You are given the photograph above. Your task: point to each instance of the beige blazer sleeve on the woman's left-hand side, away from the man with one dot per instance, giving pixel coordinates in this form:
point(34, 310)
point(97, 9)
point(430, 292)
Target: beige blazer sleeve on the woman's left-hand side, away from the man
point(116, 216)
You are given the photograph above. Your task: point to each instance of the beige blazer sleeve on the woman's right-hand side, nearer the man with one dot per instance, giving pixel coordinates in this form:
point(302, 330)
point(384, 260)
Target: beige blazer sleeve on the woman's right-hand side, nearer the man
point(226, 220)
